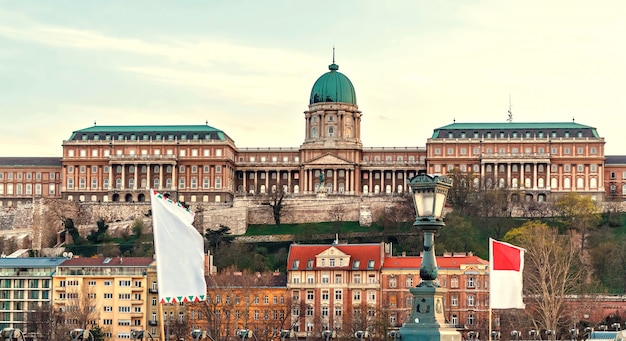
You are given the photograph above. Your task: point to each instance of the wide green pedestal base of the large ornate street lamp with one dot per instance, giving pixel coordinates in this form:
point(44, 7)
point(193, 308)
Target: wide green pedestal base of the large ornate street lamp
point(427, 321)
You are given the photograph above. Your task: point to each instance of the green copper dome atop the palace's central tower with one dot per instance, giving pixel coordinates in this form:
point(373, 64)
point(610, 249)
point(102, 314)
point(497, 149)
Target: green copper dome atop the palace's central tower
point(333, 86)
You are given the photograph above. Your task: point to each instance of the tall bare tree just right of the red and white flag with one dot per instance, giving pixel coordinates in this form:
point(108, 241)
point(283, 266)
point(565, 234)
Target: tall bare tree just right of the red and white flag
point(552, 271)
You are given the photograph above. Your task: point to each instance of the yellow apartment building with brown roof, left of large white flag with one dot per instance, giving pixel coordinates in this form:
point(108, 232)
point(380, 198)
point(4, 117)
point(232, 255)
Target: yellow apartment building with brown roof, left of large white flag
point(104, 291)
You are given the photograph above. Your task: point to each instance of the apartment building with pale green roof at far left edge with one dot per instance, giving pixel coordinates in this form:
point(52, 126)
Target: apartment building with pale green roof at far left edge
point(26, 290)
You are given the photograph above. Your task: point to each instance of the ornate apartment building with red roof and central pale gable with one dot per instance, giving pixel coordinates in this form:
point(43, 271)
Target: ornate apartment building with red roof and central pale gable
point(334, 287)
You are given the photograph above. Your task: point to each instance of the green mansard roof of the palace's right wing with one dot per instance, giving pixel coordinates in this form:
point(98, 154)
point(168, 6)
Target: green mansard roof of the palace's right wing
point(520, 127)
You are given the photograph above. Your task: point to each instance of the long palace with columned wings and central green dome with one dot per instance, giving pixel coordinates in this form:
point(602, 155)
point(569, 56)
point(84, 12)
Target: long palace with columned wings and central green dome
point(202, 164)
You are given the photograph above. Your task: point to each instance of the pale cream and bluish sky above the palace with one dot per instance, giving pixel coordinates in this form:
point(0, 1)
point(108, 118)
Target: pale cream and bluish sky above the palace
point(247, 67)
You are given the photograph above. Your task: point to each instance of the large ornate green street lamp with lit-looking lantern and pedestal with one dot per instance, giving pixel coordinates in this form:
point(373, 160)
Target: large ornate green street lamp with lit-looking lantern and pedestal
point(427, 321)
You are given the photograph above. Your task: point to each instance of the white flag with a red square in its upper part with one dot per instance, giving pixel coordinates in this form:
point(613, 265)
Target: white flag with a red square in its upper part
point(506, 265)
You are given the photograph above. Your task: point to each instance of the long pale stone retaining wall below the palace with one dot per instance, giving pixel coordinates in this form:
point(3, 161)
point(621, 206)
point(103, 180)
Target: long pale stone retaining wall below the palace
point(42, 220)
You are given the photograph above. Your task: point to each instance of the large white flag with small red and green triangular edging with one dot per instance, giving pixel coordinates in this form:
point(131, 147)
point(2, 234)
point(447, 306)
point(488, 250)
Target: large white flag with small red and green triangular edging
point(179, 252)
